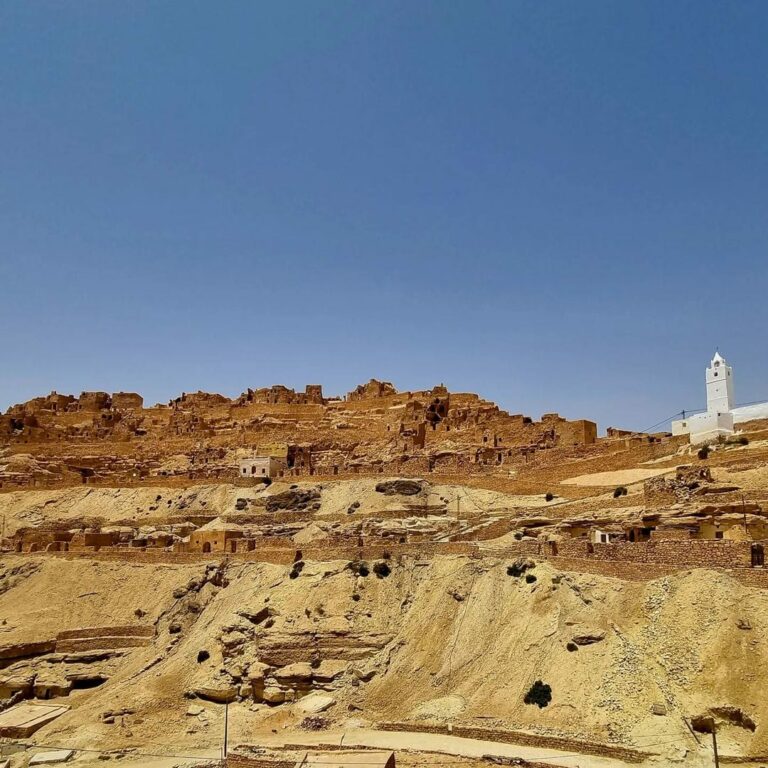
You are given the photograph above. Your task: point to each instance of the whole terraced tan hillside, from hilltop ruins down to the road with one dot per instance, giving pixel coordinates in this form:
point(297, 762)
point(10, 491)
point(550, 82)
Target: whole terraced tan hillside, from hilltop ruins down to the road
point(317, 563)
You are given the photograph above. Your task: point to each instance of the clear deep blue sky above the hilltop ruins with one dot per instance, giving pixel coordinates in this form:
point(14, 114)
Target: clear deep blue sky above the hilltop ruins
point(558, 205)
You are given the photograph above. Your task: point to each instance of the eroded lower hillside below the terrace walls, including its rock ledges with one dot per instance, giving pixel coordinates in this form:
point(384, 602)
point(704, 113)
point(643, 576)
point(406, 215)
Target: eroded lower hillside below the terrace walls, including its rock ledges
point(451, 640)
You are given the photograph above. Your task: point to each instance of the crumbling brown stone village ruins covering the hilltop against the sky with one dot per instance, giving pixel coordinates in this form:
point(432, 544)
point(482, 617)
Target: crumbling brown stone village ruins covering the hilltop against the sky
point(373, 429)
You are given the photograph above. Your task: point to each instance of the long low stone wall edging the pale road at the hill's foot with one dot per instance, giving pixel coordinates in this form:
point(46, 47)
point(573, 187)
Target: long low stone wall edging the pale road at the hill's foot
point(526, 739)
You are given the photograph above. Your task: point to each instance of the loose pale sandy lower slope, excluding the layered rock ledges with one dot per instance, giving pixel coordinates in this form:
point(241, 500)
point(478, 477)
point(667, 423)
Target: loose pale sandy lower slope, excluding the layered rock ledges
point(462, 642)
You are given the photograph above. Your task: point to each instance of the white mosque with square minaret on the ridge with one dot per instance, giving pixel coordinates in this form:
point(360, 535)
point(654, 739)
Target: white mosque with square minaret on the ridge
point(721, 416)
